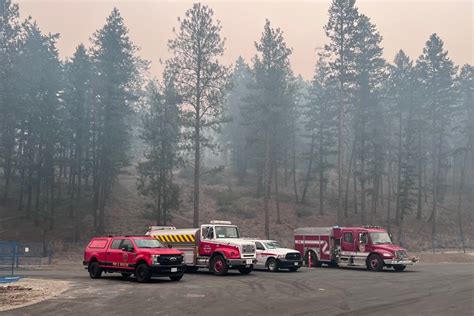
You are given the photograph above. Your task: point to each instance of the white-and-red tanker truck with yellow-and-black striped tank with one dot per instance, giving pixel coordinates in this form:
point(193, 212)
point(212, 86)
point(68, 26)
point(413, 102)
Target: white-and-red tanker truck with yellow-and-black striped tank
point(216, 246)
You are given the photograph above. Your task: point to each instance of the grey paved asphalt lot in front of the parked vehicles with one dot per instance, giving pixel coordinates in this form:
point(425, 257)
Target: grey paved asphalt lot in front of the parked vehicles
point(438, 289)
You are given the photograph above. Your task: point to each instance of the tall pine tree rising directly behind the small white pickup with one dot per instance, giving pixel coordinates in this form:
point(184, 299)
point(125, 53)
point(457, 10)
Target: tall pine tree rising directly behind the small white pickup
point(273, 80)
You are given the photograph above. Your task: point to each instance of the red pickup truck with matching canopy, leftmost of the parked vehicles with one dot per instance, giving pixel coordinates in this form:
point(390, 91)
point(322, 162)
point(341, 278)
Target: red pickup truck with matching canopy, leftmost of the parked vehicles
point(142, 256)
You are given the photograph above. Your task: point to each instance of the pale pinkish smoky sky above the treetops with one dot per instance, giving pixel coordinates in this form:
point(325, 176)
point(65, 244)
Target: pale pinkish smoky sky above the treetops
point(403, 24)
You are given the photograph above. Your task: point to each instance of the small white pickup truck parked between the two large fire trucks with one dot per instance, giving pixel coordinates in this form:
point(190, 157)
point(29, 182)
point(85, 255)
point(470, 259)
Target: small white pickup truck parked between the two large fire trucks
point(272, 256)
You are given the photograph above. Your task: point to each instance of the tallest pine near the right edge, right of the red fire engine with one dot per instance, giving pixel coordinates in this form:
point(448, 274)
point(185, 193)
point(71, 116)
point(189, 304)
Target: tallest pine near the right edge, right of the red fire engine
point(436, 75)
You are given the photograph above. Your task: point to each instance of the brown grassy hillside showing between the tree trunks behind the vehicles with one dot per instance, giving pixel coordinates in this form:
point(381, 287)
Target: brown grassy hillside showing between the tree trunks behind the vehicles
point(223, 198)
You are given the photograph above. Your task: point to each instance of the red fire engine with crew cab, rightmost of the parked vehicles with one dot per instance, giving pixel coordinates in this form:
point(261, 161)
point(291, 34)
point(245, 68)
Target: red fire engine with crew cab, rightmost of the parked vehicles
point(368, 246)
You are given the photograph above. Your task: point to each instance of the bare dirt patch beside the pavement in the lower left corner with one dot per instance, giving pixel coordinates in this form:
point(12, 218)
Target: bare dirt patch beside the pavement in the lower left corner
point(29, 291)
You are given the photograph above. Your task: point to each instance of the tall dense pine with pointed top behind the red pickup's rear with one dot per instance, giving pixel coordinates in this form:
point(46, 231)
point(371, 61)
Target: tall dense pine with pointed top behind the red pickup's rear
point(118, 78)
